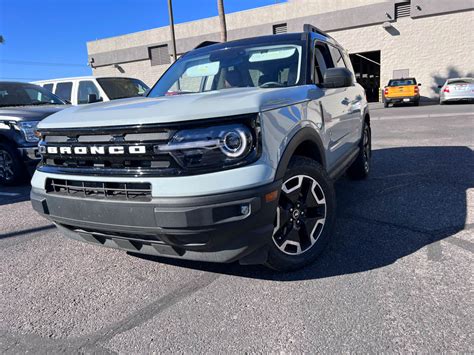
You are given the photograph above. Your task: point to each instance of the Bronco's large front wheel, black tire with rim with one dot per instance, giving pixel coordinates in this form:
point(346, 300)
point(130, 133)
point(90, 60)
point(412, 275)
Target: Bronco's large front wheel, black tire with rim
point(305, 216)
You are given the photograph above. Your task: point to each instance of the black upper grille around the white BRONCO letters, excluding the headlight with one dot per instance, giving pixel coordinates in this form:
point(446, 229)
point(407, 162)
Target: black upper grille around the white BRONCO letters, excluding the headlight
point(148, 162)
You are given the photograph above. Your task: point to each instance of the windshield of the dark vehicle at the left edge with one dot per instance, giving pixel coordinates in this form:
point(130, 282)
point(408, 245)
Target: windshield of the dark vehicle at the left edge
point(24, 94)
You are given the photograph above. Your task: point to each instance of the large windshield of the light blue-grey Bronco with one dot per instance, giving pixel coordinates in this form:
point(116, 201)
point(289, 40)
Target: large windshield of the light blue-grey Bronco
point(264, 66)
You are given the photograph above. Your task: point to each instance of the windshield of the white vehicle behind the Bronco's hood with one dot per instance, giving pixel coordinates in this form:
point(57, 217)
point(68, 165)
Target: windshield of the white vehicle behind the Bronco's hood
point(120, 88)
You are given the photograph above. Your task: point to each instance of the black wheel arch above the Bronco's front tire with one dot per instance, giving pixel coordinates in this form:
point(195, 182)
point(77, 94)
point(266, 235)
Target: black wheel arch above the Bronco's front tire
point(304, 143)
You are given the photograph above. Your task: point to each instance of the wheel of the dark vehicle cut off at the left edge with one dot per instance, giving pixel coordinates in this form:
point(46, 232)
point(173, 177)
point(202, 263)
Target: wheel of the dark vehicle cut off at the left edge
point(12, 170)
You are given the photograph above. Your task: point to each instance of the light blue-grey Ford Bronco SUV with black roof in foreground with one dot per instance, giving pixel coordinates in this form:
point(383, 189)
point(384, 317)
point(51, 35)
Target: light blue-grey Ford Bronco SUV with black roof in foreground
point(232, 156)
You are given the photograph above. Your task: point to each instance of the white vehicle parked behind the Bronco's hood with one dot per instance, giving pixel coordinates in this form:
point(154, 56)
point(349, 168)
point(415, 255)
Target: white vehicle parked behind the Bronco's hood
point(89, 89)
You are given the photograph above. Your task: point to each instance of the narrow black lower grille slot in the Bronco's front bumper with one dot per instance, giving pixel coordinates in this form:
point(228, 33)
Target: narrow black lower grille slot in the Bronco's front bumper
point(100, 190)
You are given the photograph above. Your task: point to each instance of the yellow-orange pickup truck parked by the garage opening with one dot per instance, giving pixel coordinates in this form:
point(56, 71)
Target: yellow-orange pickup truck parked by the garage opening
point(402, 91)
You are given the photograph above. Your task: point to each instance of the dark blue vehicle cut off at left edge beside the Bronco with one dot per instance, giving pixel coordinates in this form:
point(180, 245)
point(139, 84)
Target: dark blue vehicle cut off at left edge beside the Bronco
point(22, 106)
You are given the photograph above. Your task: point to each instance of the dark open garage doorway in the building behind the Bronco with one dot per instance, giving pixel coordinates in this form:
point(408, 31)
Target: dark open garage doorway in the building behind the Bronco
point(367, 68)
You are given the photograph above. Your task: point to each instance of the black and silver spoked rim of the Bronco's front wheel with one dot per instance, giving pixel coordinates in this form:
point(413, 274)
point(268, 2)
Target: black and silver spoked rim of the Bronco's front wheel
point(301, 215)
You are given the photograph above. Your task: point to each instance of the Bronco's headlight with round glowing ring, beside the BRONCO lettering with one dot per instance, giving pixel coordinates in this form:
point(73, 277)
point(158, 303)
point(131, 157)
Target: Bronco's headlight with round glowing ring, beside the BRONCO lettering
point(214, 147)
